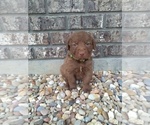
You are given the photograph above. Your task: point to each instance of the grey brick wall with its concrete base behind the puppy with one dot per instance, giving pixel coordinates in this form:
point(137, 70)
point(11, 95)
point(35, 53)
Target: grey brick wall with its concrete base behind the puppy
point(35, 32)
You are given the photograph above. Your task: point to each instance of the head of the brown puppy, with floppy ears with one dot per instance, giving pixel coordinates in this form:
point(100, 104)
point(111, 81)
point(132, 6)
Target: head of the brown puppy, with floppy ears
point(80, 45)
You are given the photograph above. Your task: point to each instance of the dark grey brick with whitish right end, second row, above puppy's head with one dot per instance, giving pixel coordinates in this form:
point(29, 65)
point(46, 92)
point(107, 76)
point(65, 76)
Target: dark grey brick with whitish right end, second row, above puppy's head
point(93, 21)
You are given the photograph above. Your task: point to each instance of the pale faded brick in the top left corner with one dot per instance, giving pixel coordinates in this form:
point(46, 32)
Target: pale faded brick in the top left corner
point(13, 6)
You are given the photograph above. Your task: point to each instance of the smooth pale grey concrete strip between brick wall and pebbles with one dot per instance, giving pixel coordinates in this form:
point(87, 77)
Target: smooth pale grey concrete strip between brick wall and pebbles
point(53, 66)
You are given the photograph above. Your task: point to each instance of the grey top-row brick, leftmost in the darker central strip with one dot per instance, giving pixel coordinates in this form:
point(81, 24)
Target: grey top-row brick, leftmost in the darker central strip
point(36, 6)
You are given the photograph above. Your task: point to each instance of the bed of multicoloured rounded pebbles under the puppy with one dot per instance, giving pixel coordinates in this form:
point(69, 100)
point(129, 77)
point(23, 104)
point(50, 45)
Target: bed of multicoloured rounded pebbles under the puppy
point(121, 98)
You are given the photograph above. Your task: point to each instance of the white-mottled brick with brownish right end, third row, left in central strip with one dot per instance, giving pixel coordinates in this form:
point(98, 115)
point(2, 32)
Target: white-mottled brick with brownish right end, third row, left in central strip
point(38, 39)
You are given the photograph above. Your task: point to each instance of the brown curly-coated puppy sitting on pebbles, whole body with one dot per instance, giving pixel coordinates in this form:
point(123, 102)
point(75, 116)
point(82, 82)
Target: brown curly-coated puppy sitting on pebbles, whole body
point(78, 64)
